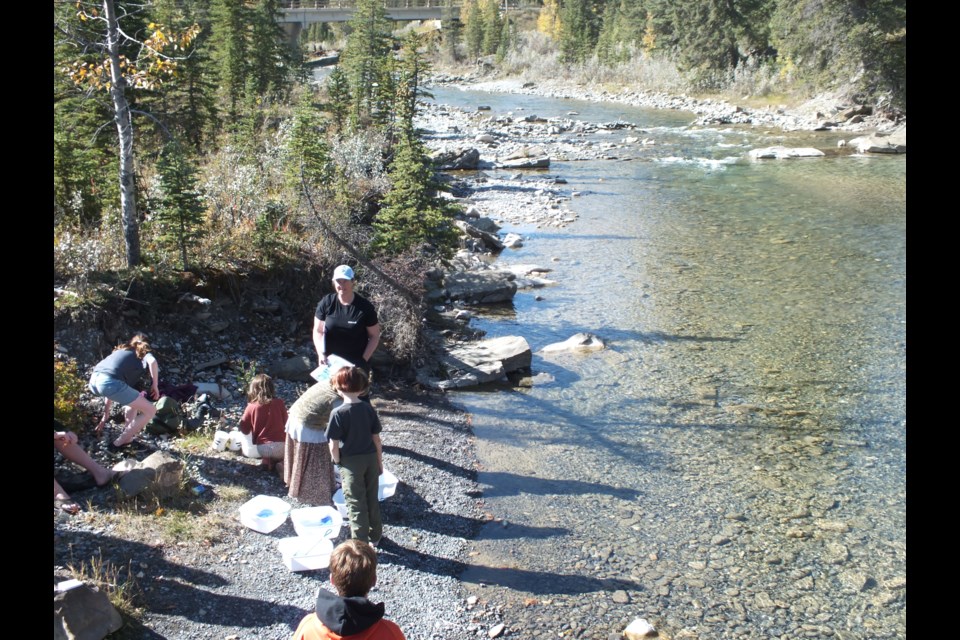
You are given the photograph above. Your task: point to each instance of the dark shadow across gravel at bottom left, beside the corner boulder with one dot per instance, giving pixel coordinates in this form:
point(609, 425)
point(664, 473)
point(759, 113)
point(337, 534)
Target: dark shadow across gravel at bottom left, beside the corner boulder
point(168, 588)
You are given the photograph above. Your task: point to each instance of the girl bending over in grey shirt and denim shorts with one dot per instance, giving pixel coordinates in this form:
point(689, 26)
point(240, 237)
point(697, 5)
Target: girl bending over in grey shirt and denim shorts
point(114, 378)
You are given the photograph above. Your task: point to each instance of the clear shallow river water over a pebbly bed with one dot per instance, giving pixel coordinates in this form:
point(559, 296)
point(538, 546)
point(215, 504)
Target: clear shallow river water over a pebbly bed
point(733, 464)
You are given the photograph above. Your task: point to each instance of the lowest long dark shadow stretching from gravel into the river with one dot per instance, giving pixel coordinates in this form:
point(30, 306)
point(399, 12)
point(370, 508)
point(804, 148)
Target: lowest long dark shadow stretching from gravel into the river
point(537, 582)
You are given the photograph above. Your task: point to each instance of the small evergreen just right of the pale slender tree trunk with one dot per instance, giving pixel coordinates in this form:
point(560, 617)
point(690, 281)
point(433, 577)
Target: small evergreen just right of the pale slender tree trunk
point(180, 211)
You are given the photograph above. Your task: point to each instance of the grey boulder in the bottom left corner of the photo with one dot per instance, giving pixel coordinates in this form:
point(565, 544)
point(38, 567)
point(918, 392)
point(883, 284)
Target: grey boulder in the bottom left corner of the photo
point(82, 612)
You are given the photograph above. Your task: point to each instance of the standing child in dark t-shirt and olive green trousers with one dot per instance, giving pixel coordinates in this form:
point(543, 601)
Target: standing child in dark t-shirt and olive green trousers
point(355, 447)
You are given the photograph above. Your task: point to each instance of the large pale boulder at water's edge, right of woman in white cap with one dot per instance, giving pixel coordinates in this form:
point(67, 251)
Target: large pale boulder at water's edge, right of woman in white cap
point(485, 361)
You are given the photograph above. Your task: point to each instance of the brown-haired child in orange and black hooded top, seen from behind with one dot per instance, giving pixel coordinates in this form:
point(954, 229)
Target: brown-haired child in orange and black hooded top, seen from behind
point(353, 572)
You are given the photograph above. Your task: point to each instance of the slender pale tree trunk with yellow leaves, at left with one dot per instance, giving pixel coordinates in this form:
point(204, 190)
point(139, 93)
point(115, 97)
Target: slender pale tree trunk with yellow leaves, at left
point(121, 108)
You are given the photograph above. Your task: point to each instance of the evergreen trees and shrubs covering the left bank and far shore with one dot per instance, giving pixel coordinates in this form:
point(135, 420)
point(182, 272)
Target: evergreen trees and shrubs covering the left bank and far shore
point(191, 146)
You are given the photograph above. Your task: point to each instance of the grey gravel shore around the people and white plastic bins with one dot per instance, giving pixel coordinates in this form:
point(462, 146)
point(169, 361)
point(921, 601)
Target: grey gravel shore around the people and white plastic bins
point(227, 581)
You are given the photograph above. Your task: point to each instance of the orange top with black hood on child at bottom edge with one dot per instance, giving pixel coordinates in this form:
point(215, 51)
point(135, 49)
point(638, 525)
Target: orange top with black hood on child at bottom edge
point(338, 617)
